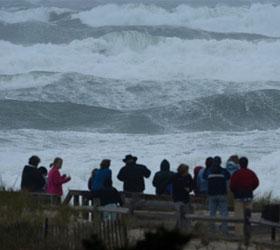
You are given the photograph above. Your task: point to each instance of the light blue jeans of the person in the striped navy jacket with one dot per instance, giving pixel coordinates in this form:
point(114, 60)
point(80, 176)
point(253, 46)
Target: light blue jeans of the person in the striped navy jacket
point(219, 203)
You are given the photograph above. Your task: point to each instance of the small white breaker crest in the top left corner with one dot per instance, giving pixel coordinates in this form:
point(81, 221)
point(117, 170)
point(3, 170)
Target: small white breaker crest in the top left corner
point(41, 14)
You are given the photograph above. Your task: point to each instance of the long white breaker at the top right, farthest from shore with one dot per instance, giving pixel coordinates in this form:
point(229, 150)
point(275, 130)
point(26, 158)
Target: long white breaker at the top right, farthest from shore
point(220, 18)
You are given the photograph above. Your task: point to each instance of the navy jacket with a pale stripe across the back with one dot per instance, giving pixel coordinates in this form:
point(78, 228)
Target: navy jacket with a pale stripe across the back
point(217, 178)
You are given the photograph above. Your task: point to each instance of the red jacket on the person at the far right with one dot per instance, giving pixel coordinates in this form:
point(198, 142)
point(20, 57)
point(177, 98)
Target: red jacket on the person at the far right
point(243, 182)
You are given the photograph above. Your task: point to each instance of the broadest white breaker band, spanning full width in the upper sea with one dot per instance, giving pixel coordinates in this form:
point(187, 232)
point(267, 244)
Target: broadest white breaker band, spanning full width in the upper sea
point(133, 55)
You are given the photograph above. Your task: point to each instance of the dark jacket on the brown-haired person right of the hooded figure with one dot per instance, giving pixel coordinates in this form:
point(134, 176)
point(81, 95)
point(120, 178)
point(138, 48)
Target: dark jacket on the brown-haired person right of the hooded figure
point(181, 188)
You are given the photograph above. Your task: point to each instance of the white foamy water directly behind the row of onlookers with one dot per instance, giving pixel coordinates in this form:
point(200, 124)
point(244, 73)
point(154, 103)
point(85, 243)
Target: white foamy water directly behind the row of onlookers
point(83, 151)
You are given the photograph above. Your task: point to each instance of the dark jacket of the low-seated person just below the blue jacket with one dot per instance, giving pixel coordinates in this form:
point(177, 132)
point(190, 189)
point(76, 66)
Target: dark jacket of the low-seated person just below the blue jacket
point(109, 195)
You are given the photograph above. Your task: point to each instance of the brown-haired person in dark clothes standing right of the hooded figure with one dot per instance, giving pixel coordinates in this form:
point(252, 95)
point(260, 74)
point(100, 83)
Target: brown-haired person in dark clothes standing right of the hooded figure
point(182, 185)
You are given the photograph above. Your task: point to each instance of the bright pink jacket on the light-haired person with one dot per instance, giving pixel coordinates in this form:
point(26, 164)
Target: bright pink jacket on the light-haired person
point(55, 181)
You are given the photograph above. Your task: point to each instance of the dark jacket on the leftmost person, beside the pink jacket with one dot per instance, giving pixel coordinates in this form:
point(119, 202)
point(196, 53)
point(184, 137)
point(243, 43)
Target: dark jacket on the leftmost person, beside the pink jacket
point(32, 180)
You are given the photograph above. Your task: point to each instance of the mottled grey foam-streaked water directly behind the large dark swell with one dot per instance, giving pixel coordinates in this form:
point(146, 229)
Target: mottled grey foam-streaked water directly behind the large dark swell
point(116, 94)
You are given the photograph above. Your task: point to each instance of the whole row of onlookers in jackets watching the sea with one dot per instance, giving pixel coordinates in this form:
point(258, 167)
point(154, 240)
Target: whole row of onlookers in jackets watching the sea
point(211, 181)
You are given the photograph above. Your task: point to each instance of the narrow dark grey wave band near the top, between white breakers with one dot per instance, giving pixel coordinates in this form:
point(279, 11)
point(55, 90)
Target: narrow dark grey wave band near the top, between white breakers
point(29, 33)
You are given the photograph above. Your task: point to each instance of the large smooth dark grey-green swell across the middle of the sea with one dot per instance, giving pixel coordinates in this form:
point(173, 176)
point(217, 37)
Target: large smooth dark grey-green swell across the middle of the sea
point(227, 112)
